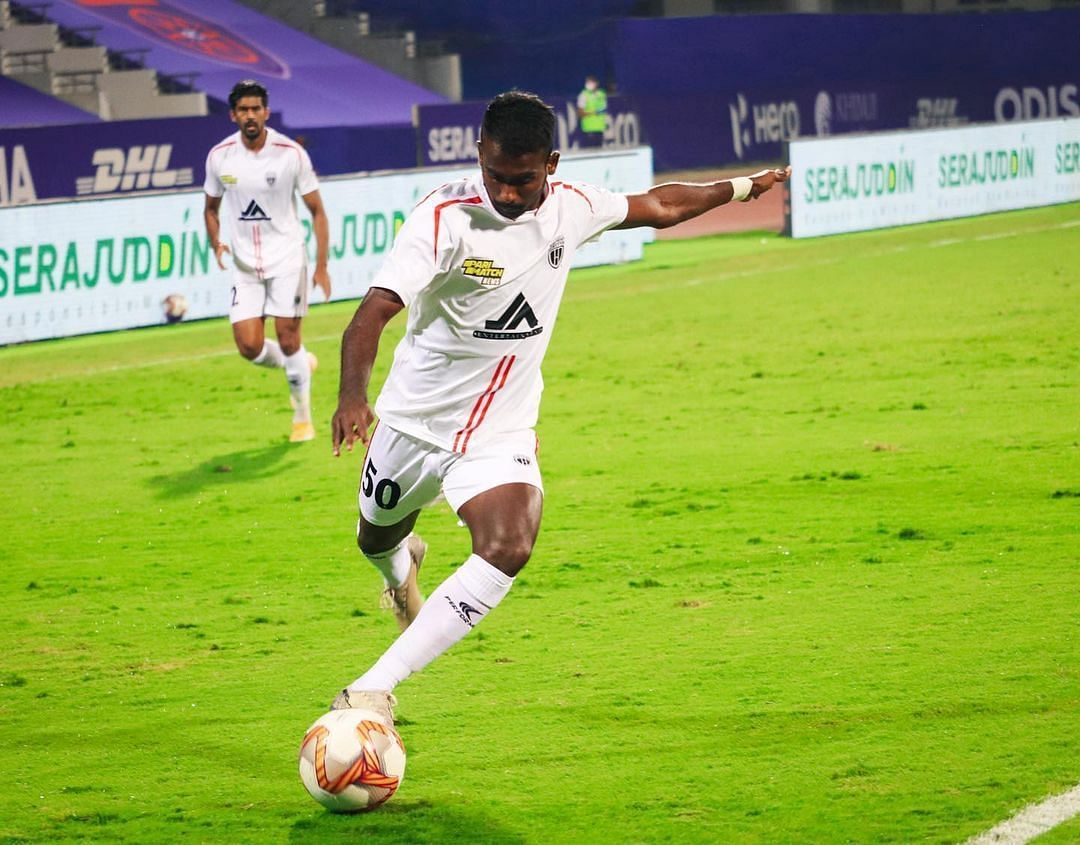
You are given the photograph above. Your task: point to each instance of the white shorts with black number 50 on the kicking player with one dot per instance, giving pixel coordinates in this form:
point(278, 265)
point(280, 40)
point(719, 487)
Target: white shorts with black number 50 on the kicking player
point(402, 475)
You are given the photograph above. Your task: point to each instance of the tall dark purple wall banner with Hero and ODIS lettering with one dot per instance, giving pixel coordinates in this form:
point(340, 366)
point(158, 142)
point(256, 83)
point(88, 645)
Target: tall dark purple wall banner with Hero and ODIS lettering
point(703, 106)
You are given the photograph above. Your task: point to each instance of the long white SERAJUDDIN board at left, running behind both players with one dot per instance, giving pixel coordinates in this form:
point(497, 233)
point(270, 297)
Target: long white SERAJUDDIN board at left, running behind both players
point(103, 265)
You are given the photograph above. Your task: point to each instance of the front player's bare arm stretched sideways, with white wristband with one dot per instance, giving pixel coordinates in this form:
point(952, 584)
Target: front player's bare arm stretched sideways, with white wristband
point(674, 203)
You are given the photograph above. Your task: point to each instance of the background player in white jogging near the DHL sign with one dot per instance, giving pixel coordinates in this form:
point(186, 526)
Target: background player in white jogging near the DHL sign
point(258, 171)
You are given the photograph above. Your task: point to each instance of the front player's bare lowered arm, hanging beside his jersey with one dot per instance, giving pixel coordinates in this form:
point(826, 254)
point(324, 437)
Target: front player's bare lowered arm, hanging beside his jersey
point(359, 347)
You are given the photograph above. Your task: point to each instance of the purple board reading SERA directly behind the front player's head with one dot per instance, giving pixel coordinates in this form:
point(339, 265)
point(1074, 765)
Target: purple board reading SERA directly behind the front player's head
point(448, 135)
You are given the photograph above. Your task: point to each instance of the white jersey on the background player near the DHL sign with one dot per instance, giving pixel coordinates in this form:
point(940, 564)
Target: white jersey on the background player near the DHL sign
point(260, 189)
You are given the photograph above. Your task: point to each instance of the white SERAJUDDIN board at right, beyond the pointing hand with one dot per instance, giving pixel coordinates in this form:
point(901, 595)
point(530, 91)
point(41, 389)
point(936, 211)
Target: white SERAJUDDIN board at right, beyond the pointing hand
point(872, 182)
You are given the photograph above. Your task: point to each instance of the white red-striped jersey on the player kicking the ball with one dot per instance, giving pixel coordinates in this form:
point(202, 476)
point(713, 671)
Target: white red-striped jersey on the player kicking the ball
point(483, 293)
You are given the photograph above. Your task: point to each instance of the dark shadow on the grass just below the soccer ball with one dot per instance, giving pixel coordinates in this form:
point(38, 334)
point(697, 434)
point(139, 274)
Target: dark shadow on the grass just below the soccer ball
point(402, 823)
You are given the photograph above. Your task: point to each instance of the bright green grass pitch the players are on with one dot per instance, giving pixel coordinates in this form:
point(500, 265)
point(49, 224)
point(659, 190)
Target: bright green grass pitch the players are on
point(808, 571)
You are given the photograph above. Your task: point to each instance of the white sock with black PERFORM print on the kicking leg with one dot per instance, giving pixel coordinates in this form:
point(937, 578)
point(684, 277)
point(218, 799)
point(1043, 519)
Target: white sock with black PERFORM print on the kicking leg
point(451, 612)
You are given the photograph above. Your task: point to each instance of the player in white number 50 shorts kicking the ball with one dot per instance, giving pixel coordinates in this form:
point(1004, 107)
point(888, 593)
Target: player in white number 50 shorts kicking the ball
point(481, 264)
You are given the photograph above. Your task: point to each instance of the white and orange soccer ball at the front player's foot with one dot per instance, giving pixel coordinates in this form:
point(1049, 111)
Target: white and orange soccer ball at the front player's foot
point(352, 761)
